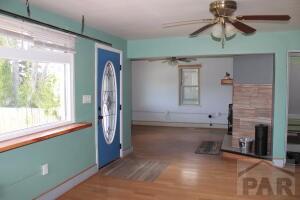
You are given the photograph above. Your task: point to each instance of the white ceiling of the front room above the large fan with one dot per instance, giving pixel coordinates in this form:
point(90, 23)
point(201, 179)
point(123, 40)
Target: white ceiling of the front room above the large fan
point(139, 19)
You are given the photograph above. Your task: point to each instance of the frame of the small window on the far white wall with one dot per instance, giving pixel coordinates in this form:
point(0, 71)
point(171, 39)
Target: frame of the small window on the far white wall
point(180, 68)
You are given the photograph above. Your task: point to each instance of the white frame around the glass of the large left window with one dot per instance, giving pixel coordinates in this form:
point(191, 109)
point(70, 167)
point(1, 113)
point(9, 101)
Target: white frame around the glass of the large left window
point(43, 56)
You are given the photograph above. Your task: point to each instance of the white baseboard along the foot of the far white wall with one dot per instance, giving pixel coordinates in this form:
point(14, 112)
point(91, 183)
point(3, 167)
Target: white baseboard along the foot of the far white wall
point(179, 124)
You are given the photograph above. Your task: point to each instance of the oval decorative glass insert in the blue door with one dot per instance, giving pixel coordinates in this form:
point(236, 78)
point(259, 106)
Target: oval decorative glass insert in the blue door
point(109, 102)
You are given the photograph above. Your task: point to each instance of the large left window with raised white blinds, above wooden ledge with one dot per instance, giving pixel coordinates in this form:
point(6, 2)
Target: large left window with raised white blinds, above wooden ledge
point(35, 78)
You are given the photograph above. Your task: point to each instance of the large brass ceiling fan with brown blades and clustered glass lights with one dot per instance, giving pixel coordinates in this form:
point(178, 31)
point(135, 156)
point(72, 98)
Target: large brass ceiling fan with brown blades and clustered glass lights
point(224, 24)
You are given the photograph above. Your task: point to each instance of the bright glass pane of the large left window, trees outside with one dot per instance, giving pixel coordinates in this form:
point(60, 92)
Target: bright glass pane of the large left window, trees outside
point(31, 94)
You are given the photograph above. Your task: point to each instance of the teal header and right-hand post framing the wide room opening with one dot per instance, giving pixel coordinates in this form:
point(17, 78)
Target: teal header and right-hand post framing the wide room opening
point(278, 43)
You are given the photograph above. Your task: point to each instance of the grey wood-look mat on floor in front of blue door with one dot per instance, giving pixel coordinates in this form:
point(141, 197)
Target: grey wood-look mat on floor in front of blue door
point(135, 169)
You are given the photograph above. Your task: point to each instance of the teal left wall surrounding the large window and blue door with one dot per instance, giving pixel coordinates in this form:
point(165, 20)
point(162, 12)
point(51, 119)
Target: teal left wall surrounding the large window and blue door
point(66, 155)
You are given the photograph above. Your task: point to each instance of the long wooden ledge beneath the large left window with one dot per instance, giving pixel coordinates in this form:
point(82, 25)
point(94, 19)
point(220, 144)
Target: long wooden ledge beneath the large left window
point(42, 135)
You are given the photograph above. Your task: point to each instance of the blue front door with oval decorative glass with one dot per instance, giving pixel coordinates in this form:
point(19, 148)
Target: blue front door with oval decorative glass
point(108, 106)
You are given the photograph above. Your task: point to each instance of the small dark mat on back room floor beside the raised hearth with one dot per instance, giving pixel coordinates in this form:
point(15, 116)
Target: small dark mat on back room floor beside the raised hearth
point(209, 147)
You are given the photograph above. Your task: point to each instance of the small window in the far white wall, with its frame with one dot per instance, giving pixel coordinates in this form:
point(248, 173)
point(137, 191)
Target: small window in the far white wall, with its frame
point(189, 90)
